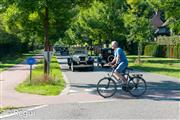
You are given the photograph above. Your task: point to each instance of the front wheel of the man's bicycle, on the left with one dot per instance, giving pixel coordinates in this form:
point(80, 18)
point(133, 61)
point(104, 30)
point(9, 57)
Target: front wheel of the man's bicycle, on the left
point(106, 87)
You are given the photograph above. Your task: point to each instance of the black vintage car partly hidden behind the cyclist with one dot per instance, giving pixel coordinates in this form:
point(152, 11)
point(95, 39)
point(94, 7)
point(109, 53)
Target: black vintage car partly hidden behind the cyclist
point(106, 56)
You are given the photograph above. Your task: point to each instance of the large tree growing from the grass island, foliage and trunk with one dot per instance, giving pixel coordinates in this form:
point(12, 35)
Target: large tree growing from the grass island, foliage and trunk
point(33, 18)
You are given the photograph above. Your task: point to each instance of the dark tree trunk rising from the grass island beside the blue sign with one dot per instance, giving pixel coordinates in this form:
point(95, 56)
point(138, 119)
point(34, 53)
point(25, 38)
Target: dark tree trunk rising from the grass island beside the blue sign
point(46, 41)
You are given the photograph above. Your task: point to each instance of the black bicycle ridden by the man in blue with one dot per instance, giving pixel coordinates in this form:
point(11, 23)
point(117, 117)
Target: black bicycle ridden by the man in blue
point(136, 85)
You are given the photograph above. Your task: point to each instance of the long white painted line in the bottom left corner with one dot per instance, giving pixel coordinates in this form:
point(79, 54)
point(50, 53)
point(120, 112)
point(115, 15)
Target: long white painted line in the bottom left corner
point(20, 112)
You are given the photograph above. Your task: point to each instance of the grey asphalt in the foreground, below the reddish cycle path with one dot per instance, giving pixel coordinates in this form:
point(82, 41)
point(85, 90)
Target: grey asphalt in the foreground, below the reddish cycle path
point(115, 109)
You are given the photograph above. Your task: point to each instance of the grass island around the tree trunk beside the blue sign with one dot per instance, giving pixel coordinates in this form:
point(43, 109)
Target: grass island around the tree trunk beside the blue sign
point(52, 86)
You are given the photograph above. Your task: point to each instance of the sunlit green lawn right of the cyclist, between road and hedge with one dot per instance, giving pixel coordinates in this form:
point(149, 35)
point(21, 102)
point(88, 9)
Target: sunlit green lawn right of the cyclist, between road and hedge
point(164, 66)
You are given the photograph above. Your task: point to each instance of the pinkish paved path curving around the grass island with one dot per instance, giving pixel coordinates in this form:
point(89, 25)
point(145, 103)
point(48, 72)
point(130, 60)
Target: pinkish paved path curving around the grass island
point(10, 78)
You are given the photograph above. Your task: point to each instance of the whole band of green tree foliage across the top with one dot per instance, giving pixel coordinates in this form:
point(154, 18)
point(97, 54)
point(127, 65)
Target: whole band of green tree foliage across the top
point(87, 22)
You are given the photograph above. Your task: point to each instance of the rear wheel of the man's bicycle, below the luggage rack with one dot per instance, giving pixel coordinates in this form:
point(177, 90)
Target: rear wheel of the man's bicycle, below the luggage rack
point(137, 86)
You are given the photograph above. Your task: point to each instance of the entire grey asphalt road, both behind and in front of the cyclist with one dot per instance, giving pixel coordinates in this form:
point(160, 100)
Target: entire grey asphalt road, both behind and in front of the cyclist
point(162, 100)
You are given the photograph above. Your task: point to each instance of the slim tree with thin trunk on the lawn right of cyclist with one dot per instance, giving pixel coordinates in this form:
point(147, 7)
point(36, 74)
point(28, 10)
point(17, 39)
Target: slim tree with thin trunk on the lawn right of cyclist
point(137, 21)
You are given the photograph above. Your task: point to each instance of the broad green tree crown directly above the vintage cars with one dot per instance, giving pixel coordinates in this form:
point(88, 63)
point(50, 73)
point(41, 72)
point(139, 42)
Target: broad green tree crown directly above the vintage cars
point(102, 22)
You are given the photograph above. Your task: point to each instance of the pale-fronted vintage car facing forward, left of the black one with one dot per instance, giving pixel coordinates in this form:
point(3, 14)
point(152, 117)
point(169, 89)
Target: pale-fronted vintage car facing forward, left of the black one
point(80, 59)
